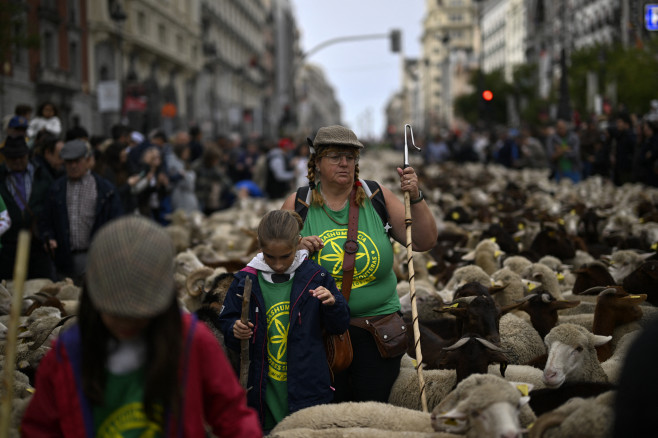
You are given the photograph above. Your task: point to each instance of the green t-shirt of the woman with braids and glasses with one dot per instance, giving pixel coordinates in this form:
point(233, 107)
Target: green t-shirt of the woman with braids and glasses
point(374, 282)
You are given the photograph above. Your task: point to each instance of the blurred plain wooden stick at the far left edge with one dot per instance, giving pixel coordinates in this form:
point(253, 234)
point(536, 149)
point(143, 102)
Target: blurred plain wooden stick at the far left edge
point(20, 272)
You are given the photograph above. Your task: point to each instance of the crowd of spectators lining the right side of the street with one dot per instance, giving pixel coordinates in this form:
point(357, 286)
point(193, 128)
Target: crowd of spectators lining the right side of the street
point(621, 147)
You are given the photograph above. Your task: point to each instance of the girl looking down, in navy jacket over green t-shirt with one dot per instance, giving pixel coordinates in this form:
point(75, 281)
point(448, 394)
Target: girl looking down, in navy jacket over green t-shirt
point(292, 301)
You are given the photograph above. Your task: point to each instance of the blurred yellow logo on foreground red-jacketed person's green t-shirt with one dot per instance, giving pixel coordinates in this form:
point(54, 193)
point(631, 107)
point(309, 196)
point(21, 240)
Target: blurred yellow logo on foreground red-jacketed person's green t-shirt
point(131, 421)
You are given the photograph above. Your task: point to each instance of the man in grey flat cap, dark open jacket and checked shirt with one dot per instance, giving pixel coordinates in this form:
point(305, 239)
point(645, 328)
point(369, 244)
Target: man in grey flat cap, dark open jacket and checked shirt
point(78, 205)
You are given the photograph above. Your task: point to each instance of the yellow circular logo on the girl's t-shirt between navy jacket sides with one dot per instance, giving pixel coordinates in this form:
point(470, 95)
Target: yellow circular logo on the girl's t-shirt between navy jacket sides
point(278, 321)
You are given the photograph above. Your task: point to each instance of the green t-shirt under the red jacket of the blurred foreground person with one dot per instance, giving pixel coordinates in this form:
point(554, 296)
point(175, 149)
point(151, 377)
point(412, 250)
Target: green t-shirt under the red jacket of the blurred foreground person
point(122, 414)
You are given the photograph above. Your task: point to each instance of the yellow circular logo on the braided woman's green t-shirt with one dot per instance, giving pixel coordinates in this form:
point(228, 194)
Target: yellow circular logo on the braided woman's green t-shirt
point(366, 258)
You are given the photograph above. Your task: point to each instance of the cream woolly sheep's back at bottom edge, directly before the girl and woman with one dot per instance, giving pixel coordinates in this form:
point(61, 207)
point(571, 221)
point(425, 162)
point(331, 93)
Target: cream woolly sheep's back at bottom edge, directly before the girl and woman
point(333, 419)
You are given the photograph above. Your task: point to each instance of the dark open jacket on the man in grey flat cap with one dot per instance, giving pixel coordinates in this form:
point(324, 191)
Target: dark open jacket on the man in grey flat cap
point(54, 222)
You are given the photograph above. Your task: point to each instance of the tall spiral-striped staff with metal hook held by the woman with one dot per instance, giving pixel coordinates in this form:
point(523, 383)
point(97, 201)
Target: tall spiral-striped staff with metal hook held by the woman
point(410, 268)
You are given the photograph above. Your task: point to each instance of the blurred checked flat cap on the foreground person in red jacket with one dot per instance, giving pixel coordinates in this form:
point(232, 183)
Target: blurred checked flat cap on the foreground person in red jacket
point(130, 268)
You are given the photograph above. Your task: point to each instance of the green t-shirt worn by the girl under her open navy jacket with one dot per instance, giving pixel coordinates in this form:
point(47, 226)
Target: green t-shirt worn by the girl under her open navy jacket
point(277, 303)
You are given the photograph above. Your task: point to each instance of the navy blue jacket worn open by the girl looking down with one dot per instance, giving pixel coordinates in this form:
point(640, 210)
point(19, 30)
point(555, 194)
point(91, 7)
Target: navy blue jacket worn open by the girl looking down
point(309, 381)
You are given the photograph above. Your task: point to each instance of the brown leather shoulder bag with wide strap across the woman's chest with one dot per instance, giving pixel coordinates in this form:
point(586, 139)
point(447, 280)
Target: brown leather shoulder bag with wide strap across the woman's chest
point(339, 347)
